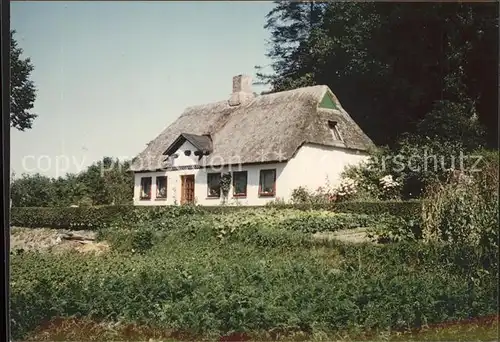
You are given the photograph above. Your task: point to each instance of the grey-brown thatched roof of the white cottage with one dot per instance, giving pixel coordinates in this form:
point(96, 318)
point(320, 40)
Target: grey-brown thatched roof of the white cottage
point(267, 128)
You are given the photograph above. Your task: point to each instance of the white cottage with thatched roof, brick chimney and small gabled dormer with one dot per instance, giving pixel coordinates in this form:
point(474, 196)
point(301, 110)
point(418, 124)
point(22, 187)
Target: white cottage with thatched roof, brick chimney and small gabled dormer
point(250, 149)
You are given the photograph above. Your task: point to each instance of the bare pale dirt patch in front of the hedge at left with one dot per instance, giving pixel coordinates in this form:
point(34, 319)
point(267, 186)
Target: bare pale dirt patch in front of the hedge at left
point(55, 240)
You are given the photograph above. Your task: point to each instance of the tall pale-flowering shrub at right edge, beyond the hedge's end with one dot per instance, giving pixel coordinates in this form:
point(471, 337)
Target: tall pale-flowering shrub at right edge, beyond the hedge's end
point(464, 209)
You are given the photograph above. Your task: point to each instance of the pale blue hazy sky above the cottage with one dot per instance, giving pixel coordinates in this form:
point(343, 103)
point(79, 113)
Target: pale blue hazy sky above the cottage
point(110, 76)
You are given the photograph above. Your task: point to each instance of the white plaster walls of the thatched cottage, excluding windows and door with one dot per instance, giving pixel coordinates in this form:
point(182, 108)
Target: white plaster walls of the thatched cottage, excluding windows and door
point(312, 166)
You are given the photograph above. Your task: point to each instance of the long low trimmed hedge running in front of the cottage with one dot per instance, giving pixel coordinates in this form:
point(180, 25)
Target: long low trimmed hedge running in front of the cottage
point(94, 217)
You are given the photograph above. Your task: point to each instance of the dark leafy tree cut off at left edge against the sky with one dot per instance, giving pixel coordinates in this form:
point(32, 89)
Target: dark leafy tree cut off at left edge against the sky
point(22, 88)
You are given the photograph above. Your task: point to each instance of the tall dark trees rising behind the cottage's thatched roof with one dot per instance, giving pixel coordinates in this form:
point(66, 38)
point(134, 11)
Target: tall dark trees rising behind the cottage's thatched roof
point(391, 62)
